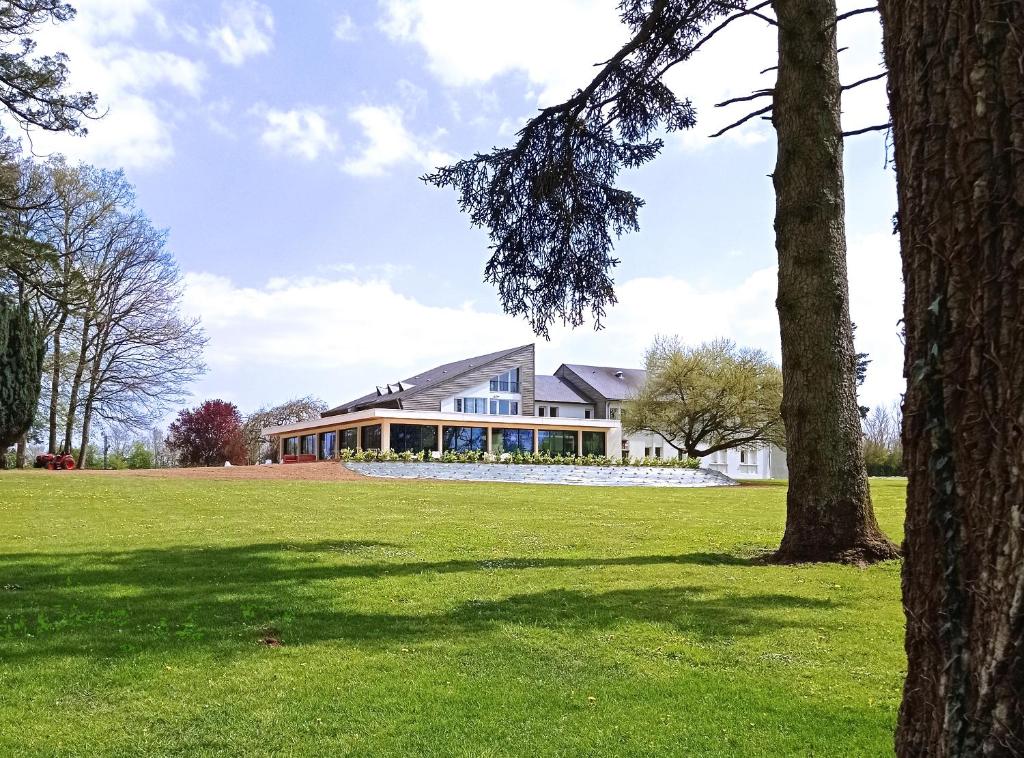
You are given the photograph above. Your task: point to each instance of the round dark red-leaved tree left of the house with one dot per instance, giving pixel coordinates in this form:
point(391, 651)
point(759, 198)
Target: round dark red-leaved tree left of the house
point(208, 436)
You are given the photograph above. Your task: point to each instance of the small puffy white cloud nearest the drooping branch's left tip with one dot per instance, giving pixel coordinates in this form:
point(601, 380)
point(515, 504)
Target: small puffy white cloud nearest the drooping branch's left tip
point(389, 143)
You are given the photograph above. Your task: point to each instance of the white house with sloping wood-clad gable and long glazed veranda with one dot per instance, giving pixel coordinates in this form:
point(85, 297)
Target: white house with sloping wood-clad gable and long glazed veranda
point(494, 403)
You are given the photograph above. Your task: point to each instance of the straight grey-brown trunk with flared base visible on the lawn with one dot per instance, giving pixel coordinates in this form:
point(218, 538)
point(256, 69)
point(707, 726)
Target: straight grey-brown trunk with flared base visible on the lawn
point(829, 506)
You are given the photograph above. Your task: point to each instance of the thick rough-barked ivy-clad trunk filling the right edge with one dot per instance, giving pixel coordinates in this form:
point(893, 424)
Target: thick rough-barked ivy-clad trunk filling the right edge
point(957, 97)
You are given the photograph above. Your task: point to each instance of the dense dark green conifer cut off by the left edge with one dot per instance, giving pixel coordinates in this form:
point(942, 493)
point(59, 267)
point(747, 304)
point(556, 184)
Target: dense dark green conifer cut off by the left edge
point(22, 351)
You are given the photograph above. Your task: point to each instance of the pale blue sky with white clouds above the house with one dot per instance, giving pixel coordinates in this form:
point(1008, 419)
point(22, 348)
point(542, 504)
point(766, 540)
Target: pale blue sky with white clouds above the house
point(282, 144)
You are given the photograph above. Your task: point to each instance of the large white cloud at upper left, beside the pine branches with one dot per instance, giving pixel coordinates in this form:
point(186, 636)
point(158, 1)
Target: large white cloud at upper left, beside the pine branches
point(135, 86)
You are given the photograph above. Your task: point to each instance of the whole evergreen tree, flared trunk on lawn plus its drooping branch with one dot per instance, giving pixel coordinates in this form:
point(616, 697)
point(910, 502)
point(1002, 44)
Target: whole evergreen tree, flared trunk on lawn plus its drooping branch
point(552, 209)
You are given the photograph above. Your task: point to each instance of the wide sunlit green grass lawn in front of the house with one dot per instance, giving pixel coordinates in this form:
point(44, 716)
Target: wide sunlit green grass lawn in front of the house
point(433, 619)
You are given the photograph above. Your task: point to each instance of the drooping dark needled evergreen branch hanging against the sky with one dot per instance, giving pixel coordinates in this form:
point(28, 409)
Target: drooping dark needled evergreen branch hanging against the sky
point(550, 203)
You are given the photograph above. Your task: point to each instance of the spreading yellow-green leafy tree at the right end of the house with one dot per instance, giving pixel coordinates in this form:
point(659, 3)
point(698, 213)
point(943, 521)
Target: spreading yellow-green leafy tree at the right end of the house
point(708, 399)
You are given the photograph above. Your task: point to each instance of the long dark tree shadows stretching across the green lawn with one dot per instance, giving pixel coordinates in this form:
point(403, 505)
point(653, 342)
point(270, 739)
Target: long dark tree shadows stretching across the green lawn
point(225, 600)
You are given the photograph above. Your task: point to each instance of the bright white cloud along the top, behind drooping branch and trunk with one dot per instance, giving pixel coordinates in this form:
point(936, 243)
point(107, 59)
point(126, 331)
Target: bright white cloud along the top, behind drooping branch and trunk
point(556, 61)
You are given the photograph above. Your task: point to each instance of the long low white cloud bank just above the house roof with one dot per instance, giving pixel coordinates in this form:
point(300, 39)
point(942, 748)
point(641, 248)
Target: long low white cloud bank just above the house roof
point(350, 332)
